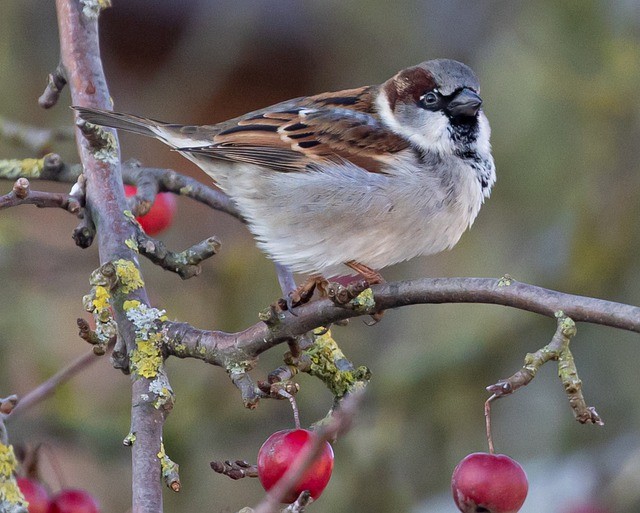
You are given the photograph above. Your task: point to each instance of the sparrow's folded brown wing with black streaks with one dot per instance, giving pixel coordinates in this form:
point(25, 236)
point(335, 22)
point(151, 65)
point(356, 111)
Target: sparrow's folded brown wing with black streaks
point(340, 126)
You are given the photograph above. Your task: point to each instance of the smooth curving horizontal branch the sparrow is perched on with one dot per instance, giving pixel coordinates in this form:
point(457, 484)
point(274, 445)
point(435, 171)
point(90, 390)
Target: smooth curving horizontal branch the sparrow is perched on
point(224, 349)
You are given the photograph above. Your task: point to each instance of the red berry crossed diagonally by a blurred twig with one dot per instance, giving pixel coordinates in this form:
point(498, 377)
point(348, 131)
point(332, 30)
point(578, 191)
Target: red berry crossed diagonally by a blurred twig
point(278, 453)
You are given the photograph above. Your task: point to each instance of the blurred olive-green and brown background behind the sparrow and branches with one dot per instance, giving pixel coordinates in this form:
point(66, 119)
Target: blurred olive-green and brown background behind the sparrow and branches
point(560, 83)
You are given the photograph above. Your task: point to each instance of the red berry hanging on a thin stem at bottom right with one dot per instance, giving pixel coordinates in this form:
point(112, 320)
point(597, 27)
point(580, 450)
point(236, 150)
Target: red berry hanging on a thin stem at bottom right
point(493, 483)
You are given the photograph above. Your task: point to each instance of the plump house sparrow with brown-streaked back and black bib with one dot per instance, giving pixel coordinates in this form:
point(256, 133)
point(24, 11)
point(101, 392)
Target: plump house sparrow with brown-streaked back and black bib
point(366, 177)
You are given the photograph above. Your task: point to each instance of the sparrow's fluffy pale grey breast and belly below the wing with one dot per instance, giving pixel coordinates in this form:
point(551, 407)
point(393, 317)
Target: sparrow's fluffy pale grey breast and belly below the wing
point(315, 221)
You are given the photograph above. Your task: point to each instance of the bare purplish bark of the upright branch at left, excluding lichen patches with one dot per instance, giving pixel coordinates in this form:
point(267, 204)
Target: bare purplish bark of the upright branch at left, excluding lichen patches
point(80, 57)
